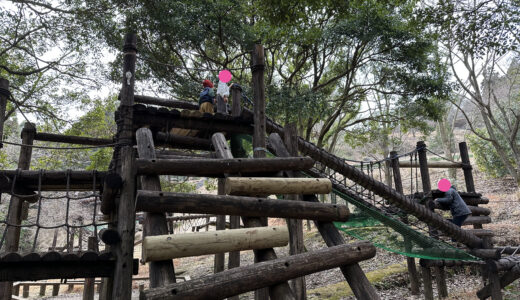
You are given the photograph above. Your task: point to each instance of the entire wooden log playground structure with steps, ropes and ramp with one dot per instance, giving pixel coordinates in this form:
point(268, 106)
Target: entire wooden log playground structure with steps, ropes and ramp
point(299, 171)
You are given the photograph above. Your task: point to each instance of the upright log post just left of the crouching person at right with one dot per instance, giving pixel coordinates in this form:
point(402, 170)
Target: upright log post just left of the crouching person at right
point(440, 277)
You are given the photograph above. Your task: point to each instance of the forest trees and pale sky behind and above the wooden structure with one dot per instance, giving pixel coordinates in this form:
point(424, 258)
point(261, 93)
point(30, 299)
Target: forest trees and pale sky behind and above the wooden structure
point(357, 77)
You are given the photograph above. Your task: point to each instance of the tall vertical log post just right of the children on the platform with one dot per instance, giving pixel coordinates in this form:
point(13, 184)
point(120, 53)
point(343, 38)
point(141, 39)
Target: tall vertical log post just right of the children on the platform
point(257, 70)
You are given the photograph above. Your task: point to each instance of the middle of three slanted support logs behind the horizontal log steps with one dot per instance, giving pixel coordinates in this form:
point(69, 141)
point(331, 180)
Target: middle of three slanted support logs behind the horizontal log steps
point(280, 290)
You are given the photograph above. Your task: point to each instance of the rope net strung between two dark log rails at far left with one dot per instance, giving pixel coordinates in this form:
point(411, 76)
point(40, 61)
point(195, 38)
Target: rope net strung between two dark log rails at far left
point(56, 221)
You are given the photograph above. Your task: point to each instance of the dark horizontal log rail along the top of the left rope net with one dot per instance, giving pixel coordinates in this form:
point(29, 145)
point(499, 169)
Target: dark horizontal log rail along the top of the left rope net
point(51, 180)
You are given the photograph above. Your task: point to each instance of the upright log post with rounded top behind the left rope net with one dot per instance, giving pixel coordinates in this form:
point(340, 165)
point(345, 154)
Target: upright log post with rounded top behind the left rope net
point(12, 236)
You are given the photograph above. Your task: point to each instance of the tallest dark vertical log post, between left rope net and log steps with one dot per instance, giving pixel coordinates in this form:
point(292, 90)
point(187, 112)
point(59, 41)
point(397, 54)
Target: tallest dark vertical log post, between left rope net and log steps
point(122, 282)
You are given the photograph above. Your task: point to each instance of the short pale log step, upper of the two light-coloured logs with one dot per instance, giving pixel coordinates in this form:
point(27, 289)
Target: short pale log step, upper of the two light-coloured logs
point(277, 186)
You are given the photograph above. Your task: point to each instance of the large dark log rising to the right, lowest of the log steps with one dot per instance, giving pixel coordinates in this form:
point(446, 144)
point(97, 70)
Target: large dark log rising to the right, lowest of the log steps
point(243, 279)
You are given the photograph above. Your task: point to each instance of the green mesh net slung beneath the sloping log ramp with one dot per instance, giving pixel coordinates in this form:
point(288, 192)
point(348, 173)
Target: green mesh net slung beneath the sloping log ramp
point(391, 234)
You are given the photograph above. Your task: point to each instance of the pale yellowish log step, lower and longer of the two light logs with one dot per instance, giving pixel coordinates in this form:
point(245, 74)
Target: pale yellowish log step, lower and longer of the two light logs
point(166, 247)
